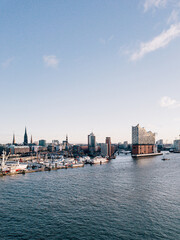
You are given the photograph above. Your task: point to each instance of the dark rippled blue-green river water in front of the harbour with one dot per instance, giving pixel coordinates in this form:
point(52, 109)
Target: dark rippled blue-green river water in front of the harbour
point(124, 199)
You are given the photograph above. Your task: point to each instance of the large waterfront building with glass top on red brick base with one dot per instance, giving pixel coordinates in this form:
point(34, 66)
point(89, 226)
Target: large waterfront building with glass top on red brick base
point(143, 142)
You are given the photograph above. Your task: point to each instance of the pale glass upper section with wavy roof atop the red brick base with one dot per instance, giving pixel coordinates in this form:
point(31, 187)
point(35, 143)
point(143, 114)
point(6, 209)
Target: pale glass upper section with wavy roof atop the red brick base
point(141, 136)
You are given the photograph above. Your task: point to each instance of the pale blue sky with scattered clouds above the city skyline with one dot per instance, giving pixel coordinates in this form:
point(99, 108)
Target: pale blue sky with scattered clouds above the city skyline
point(73, 67)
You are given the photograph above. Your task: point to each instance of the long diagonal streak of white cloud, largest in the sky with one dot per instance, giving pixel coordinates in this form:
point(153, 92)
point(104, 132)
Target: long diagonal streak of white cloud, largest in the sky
point(159, 41)
